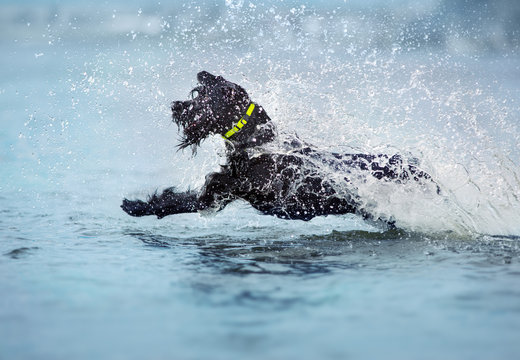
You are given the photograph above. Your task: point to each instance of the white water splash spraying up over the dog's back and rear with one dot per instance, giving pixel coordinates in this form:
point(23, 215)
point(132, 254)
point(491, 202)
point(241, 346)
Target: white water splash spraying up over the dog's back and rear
point(464, 136)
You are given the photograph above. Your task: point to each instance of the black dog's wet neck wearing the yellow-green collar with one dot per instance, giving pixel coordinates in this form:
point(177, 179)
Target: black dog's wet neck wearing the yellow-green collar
point(255, 128)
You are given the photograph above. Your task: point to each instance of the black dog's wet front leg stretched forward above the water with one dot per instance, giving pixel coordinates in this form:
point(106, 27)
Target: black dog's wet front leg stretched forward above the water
point(168, 203)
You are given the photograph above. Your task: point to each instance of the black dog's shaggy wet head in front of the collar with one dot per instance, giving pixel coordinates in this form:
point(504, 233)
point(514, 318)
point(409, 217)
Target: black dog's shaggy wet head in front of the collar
point(215, 105)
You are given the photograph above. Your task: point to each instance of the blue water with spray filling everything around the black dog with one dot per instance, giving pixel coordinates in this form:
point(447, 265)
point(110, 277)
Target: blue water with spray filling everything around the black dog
point(84, 105)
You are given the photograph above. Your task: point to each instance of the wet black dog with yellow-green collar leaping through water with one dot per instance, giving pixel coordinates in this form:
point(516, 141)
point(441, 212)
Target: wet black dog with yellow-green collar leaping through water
point(289, 179)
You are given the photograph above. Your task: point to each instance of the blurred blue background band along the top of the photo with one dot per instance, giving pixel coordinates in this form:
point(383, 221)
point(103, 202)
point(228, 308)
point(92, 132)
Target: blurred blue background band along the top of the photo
point(458, 27)
